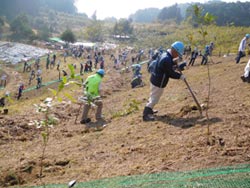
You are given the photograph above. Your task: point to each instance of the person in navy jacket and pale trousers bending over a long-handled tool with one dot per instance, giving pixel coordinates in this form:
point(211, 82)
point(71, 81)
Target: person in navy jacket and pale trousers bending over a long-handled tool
point(162, 71)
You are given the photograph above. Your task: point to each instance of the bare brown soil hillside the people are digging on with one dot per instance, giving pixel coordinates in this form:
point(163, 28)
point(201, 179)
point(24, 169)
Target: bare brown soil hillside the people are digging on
point(177, 141)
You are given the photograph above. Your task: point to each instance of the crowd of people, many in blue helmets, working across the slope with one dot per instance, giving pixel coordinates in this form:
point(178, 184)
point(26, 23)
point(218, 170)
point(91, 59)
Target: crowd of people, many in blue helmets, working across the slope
point(162, 66)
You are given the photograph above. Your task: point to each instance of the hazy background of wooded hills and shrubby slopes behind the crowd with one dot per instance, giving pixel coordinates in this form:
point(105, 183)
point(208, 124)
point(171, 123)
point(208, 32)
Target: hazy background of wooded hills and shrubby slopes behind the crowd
point(24, 23)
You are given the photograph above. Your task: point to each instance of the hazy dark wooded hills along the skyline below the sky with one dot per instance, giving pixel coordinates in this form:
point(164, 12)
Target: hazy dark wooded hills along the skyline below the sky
point(226, 13)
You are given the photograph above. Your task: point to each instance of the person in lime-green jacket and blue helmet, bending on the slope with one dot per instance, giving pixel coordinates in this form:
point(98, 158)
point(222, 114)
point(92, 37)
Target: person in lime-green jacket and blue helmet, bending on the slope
point(92, 91)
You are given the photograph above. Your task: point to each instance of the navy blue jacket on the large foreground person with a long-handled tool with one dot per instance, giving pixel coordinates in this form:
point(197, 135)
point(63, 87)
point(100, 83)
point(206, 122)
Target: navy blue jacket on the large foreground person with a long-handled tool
point(163, 70)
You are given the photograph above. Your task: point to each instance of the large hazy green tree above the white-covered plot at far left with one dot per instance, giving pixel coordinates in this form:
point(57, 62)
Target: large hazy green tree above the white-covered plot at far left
point(21, 28)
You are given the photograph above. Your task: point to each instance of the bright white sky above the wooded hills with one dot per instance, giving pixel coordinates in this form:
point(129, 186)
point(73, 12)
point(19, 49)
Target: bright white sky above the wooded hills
point(123, 8)
